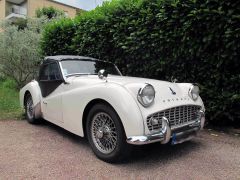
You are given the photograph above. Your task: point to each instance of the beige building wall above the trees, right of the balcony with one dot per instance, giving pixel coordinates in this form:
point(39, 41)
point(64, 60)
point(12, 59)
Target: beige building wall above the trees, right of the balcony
point(33, 5)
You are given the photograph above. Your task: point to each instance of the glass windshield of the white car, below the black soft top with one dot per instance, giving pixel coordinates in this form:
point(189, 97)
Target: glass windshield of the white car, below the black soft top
point(87, 67)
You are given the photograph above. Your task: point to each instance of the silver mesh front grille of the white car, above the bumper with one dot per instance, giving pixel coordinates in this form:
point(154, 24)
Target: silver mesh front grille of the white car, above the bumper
point(177, 116)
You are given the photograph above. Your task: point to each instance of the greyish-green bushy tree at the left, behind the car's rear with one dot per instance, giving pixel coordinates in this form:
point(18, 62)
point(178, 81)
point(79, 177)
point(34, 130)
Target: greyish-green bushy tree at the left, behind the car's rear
point(19, 50)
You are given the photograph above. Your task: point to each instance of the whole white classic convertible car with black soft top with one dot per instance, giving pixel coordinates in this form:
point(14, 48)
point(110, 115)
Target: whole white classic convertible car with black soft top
point(91, 98)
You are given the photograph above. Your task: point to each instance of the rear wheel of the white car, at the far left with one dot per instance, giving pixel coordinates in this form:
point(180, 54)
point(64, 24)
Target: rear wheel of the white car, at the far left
point(29, 110)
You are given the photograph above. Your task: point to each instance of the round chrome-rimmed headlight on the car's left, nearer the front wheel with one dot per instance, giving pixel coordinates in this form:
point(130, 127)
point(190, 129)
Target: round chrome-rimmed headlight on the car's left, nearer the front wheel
point(146, 95)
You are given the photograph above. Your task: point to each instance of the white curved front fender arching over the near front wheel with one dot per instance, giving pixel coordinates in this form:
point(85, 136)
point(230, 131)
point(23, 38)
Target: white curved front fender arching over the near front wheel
point(116, 95)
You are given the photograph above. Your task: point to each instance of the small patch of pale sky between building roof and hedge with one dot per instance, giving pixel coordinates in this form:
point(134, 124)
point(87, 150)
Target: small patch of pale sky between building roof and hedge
point(82, 4)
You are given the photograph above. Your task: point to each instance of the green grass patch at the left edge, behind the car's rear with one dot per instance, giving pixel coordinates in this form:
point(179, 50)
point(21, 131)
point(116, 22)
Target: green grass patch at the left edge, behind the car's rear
point(9, 101)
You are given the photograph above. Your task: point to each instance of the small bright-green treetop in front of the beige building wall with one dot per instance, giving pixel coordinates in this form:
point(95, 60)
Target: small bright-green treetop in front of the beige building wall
point(49, 12)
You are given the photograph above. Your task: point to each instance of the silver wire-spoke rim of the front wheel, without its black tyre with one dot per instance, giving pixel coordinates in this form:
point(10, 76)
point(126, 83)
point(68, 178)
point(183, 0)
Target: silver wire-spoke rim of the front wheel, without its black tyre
point(104, 133)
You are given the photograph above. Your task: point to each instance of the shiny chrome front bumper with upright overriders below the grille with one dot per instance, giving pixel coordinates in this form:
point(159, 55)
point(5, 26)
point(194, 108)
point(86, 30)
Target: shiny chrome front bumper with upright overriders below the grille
point(178, 134)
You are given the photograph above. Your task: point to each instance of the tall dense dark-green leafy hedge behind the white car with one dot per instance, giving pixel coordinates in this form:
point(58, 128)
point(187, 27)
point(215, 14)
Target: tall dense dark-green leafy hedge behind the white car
point(194, 41)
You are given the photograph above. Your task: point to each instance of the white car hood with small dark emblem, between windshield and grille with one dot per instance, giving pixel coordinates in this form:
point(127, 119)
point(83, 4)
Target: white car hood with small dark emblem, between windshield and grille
point(164, 90)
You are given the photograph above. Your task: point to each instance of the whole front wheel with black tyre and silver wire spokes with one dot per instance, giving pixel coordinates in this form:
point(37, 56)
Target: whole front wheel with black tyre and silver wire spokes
point(106, 134)
